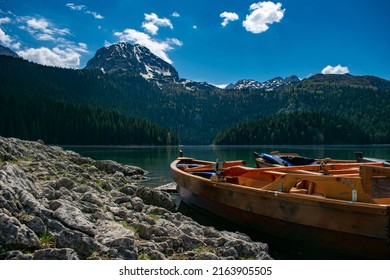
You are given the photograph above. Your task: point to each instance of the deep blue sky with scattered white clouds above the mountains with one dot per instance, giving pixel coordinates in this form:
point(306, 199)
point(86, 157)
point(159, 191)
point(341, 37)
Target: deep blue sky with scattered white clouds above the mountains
point(214, 41)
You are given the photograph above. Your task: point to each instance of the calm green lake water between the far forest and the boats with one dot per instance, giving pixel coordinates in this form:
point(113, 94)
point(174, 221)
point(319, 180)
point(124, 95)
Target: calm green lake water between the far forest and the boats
point(156, 159)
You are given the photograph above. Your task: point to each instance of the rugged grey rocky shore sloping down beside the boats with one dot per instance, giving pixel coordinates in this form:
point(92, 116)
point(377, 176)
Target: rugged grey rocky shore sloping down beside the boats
point(56, 204)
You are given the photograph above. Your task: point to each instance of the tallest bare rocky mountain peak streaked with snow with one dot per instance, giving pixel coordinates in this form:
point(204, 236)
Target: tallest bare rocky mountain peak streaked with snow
point(124, 58)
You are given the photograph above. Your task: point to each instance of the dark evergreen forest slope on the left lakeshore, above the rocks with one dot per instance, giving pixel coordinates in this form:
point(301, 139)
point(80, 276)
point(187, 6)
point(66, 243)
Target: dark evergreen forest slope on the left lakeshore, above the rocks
point(60, 122)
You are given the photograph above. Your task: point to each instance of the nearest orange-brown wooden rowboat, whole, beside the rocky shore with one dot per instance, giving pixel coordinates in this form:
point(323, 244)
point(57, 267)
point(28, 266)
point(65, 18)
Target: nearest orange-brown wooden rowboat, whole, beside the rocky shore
point(340, 206)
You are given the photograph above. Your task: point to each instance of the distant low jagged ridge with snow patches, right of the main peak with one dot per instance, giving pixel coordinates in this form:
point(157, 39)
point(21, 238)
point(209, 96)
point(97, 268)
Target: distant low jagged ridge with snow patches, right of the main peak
point(269, 85)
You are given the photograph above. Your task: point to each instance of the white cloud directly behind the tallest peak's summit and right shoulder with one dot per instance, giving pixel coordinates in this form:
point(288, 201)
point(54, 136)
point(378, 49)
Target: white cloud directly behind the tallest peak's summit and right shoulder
point(159, 48)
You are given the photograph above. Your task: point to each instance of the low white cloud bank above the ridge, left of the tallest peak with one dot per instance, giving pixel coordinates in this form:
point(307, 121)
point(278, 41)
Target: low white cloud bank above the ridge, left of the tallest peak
point(67, 58)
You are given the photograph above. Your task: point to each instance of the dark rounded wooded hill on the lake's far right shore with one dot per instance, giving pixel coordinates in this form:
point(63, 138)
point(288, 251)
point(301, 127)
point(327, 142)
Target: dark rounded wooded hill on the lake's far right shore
point(300, 127)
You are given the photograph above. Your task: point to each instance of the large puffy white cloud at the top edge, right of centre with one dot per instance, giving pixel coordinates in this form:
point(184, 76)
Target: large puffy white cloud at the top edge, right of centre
point(262, 15)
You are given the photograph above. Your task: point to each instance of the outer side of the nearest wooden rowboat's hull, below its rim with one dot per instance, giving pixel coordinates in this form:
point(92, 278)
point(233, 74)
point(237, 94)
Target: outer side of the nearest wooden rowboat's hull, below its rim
point(355, 229)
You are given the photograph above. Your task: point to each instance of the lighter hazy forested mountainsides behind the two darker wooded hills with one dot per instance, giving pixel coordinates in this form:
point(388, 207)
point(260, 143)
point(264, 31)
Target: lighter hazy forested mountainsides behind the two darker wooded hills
point(196, 117)
